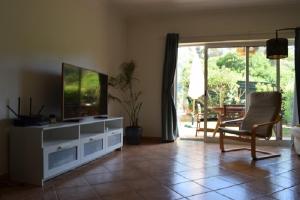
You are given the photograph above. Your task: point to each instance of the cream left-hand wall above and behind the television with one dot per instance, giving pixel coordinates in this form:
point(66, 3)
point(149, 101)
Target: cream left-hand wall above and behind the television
point(37, 36)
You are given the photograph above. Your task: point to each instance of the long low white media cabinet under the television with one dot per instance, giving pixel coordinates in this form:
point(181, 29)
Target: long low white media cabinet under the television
point(38, 153)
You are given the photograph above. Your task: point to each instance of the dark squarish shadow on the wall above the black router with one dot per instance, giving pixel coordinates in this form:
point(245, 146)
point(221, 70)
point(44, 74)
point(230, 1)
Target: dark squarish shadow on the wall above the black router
point(44, 88)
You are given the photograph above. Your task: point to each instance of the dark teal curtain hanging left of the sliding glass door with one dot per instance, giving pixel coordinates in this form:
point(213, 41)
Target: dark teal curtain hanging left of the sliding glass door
point(168, 109)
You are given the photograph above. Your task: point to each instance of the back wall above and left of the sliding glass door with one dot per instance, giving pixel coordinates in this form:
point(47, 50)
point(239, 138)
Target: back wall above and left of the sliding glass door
point(146, 43)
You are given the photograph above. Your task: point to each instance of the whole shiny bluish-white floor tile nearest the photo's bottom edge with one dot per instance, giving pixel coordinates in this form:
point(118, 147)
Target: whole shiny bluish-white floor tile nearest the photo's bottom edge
point(187, 189)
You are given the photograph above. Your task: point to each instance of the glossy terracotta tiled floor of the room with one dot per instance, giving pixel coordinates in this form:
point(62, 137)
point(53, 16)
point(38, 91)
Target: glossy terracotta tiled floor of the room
point(182, 170)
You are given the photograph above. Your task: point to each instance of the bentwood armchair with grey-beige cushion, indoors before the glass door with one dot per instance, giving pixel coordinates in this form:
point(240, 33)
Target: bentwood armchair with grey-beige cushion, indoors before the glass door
point(263, 113)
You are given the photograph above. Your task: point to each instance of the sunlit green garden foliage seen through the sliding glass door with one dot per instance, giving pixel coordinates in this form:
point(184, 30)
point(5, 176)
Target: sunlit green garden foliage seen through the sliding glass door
point(227, 69)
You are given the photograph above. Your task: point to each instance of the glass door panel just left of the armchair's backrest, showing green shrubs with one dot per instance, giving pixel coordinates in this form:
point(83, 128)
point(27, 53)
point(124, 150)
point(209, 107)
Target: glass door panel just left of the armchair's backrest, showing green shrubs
point(226, 86)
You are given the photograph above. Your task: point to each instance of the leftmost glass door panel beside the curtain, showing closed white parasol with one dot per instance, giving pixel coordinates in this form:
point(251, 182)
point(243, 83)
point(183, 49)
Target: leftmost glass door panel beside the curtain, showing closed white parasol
point(190, 91)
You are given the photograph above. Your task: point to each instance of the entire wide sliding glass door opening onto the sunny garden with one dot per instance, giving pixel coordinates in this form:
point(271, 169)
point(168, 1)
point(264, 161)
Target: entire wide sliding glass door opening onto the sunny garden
point(213, 81)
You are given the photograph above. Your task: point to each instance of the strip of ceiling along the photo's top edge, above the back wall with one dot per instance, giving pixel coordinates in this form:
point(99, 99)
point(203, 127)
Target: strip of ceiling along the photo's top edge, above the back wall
point(138, 7)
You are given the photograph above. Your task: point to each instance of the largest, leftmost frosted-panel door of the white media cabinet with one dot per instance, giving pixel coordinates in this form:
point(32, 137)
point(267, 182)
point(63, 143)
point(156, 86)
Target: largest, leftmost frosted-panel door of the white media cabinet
point(60, 158)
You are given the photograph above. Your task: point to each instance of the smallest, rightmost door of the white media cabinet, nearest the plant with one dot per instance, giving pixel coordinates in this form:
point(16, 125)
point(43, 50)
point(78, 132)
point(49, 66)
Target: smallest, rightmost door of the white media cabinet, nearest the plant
point(114, 139)
